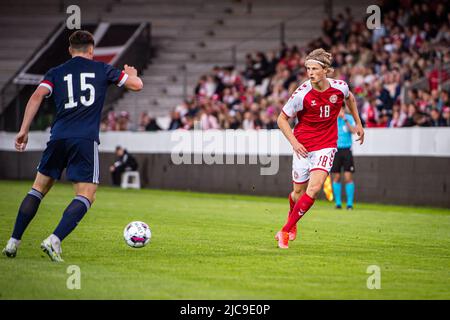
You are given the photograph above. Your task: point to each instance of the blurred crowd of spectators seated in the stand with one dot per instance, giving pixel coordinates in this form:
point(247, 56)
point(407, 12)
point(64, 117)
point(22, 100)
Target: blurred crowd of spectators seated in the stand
point(379, 65)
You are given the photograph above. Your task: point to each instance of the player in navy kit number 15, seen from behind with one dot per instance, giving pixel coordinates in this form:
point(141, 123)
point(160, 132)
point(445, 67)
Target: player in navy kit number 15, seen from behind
point(78, 88)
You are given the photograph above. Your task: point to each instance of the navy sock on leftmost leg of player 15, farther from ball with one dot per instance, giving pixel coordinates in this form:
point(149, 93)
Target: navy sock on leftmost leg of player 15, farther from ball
point(27, 211)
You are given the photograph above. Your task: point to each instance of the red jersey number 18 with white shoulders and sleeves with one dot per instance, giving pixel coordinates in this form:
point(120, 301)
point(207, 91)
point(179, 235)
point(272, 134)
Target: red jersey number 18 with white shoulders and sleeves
point(317, 113)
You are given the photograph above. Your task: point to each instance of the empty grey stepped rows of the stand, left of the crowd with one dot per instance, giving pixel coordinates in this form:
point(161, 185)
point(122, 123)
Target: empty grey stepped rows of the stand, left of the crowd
point(193, 36)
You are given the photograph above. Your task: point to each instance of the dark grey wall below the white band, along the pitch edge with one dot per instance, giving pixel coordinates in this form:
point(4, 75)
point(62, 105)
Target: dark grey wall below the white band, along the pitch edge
point(406, 180)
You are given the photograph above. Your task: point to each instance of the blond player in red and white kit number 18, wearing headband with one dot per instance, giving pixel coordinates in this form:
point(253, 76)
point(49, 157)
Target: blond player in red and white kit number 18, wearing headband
point(316, 104)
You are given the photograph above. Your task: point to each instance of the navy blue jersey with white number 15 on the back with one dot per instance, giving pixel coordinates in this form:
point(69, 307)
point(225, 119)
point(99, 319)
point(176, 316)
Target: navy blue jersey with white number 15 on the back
point(79, 88)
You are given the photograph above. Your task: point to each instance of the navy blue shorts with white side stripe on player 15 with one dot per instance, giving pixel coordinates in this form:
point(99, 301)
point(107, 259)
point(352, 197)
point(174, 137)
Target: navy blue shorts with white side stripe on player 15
point(78, 156)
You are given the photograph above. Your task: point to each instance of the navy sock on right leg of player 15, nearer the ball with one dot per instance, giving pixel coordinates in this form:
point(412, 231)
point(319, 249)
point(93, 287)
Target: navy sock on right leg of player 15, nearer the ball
point(72, 216)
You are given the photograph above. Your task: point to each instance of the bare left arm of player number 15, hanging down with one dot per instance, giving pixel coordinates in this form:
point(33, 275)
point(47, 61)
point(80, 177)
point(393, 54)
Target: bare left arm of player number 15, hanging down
point(30, 112)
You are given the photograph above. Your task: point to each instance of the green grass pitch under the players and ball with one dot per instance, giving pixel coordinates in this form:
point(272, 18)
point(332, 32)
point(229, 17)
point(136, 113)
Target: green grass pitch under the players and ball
point(212, 246)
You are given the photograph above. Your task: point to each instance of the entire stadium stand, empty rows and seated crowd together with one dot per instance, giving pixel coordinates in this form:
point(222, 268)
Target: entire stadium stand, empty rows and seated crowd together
point(195, 40)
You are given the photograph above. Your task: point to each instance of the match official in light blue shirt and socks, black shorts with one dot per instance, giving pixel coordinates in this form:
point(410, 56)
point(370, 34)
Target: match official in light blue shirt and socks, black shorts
point(343, 160)
